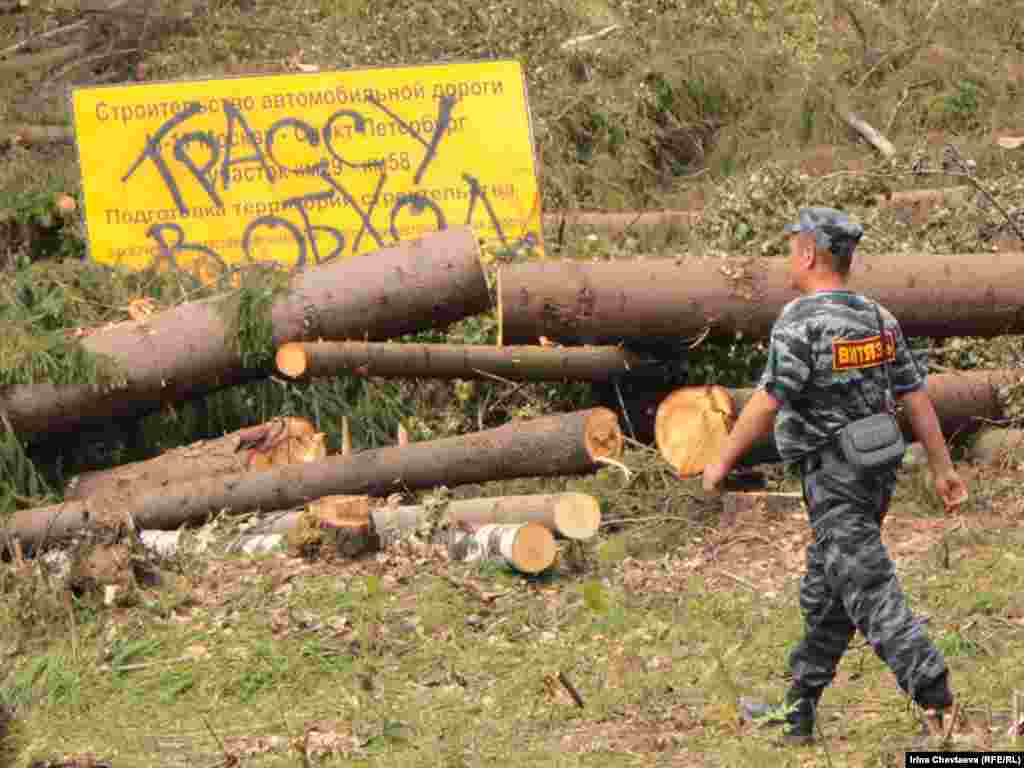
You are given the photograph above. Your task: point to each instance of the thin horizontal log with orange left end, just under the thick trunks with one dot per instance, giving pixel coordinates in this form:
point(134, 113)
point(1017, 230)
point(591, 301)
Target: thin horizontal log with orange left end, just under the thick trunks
point(312, 360)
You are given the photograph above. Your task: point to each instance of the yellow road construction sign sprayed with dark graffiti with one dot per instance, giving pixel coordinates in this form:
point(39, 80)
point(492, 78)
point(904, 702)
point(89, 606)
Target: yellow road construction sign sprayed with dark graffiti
point(304, 169)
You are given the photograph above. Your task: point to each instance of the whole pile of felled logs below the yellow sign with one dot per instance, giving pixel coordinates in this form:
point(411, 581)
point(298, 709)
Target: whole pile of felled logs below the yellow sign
point(337, 320)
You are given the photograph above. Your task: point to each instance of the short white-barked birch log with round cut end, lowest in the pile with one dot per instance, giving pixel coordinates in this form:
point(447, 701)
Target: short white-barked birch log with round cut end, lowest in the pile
point(527, 547)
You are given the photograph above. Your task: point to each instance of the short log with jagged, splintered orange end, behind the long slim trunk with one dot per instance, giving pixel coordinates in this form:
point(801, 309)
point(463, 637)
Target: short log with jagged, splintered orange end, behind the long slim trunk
point(283, 441)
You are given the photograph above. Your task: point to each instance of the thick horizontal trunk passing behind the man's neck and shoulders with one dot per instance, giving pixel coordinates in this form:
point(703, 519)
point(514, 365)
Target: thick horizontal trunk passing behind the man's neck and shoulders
point(941, 296)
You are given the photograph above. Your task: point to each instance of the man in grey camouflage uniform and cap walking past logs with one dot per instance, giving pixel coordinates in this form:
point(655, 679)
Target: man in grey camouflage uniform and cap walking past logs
point(825, 370)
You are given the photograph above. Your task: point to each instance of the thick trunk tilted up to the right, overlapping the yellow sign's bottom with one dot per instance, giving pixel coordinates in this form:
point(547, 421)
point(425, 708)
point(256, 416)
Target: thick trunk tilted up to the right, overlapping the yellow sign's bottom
point(189, 351)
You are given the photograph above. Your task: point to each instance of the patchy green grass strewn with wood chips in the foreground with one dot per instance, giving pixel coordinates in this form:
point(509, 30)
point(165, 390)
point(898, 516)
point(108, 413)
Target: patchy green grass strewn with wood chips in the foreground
point(412, 670)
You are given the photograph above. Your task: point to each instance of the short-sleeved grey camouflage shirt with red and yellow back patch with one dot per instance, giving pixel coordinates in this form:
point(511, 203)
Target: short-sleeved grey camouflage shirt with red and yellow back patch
point(825, 365)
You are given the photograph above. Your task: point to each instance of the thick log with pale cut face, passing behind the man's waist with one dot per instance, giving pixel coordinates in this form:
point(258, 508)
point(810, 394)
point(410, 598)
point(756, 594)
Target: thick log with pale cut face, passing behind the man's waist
point(964, 403)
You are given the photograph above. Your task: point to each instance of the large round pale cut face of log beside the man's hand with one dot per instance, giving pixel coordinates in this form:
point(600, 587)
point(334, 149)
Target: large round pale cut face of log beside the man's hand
point(692, 426)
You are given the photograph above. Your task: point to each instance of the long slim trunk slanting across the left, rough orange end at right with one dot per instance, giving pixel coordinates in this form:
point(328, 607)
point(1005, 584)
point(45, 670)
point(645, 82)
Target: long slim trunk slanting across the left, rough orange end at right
point(558, 445)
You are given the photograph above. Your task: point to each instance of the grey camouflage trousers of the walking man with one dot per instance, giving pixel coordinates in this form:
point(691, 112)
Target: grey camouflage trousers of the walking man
point(851, 583)
